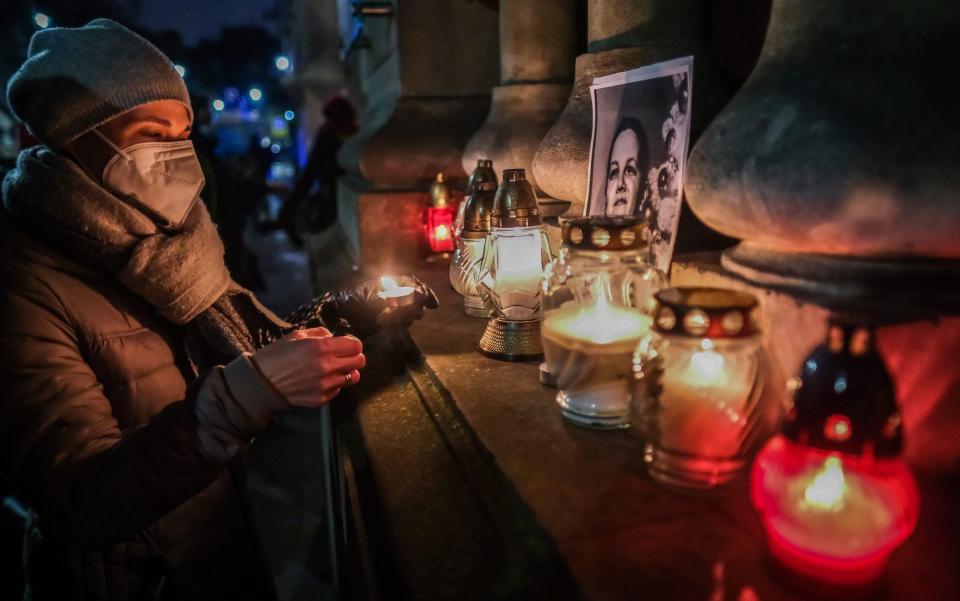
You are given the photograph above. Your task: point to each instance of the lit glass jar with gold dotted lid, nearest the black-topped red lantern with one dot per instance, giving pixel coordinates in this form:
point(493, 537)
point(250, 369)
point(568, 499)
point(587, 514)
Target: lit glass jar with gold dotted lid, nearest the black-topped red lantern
point(698, 389)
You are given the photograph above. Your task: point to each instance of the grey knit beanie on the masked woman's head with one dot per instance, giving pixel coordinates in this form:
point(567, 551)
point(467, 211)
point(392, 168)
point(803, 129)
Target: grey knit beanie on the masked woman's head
point(76, 79)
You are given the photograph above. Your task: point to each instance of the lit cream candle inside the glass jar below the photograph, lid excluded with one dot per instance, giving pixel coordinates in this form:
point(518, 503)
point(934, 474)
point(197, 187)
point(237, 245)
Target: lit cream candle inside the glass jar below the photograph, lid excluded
point(589, 348)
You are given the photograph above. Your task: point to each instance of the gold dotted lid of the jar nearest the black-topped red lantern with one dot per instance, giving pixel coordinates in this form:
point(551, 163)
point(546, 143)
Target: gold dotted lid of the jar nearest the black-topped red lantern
point(704, 313)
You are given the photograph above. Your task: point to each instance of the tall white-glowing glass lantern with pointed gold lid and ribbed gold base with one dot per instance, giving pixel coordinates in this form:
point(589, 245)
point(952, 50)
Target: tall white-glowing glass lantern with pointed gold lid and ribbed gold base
point(514, 255)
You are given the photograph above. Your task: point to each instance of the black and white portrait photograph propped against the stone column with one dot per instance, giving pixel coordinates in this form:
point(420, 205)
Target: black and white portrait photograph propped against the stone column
point(641, 126)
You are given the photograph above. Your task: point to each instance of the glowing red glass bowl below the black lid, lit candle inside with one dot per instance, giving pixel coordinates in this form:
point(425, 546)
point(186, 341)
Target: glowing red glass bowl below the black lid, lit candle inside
point(831, 516)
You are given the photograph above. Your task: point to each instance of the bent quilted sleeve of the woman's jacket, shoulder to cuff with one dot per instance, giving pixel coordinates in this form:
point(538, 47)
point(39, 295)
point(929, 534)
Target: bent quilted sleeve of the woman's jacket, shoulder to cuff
point(62, 449)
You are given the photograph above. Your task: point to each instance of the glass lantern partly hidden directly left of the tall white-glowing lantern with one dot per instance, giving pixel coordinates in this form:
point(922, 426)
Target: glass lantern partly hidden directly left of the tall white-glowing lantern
point(465, 265)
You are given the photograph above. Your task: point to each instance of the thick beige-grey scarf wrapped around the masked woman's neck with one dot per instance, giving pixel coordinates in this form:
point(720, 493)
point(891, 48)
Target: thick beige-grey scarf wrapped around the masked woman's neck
point(182, 274)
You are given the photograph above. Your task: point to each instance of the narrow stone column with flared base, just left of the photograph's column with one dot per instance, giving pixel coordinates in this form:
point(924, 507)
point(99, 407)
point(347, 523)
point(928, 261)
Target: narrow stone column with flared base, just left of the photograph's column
point(537, 48)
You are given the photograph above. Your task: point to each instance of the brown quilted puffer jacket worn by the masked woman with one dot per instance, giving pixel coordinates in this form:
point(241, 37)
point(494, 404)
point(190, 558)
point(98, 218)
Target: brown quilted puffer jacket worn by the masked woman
point(131, 464)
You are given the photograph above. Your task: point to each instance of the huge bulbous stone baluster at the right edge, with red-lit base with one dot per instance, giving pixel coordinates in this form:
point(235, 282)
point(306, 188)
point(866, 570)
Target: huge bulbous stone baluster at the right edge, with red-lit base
point(836, 164)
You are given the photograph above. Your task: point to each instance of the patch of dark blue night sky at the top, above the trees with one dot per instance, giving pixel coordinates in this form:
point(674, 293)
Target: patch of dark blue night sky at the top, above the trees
point(198, 19)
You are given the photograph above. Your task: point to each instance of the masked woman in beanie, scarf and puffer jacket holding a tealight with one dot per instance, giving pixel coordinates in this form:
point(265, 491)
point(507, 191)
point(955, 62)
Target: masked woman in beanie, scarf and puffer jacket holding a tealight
point(135, 371)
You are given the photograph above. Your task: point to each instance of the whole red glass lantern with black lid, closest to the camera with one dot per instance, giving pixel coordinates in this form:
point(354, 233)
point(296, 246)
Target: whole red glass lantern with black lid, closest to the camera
point(833, 493)
